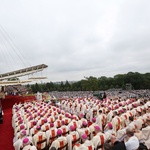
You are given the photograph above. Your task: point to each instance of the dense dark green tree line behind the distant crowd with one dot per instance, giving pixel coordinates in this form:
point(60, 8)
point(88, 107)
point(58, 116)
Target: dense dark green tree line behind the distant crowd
point(119, 81)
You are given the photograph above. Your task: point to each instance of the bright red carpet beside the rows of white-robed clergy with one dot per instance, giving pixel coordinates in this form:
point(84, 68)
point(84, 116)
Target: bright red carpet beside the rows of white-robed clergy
point(6, 130)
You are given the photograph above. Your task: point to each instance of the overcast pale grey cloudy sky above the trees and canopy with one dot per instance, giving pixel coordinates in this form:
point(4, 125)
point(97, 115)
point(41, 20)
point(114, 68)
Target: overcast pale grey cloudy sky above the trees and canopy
point(75, 38)
